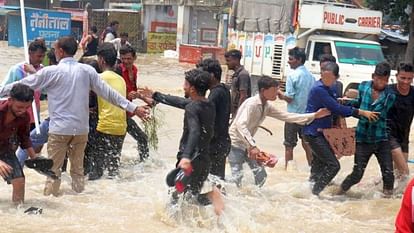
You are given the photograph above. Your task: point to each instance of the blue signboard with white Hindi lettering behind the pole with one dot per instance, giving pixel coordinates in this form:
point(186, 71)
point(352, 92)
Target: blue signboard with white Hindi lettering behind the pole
point(49, 25)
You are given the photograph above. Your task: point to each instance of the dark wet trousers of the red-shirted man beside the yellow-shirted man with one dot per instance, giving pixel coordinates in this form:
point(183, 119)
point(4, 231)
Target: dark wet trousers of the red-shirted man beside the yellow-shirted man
point(139, 135)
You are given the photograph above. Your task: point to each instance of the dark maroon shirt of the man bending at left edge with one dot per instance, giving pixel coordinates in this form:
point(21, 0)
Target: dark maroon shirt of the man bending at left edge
point(14, 133)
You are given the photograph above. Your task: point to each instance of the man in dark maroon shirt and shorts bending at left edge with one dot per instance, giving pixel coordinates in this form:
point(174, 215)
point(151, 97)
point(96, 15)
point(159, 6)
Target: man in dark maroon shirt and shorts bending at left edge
point(14, 132)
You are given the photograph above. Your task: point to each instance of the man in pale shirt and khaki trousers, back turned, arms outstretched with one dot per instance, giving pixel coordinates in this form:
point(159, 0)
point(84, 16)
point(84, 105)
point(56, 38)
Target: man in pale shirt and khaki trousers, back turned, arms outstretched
point(68, 85)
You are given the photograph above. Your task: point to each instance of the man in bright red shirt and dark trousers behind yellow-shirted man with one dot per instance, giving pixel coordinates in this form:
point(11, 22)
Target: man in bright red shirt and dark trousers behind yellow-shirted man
point(129, 72)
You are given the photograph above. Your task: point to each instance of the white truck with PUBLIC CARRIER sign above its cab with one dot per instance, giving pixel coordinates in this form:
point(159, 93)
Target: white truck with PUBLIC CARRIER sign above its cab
point(343, 30)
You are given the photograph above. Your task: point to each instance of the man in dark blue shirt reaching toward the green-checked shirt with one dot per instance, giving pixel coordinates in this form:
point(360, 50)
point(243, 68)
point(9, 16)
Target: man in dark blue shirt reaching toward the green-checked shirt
point(325, 165)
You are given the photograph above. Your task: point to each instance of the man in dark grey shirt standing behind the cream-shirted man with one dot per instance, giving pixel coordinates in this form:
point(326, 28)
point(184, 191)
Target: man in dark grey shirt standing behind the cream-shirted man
point(240, 83)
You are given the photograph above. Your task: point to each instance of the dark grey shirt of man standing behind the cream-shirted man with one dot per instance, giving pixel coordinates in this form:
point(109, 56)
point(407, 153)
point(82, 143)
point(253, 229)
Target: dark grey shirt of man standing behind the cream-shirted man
point(240, 82)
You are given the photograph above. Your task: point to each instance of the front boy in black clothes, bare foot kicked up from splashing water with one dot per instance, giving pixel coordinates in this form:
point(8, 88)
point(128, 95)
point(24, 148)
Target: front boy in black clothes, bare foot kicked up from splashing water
point(194, 144)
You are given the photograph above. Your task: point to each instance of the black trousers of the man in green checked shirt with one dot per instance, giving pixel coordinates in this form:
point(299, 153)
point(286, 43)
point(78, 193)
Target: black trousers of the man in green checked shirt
point(382, 151)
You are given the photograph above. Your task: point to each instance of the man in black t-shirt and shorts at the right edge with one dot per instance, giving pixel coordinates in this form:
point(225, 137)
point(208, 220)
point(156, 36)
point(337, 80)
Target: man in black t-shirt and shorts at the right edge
point(400, 118)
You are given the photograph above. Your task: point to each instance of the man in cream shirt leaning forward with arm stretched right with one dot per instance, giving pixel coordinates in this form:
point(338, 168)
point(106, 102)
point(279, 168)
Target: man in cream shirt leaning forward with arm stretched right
point(250, 115)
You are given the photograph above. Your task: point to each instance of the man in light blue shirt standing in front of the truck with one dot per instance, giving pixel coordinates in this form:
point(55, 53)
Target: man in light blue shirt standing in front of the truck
point(298, 86)
